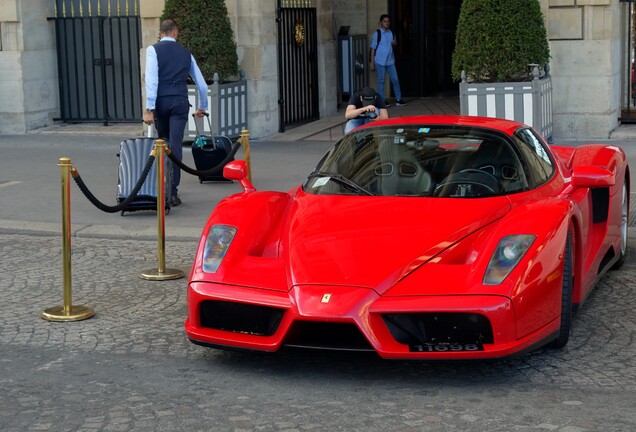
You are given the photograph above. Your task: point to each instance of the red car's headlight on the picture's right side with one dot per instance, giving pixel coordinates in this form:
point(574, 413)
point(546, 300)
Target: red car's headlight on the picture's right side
point(507, 255)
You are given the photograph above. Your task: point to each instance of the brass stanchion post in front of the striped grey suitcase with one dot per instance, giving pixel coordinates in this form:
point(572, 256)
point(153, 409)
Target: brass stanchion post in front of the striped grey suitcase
point(161, 272)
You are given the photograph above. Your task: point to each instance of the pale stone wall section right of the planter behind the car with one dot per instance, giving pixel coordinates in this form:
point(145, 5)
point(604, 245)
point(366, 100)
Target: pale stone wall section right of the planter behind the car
point(585, 43)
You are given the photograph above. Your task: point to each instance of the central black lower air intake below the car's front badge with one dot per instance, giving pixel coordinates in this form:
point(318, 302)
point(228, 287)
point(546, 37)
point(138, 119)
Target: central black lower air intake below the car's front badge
point(338, 336)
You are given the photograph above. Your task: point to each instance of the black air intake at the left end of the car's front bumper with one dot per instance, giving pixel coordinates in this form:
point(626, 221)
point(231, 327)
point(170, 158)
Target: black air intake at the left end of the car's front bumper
point(240, 317)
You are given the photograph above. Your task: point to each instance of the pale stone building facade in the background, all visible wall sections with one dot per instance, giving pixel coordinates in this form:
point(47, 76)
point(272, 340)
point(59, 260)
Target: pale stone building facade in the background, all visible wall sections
point(587, 42)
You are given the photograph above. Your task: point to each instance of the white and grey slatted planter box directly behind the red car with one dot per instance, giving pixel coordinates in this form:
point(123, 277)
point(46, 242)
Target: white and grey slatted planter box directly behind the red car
point(527, 102)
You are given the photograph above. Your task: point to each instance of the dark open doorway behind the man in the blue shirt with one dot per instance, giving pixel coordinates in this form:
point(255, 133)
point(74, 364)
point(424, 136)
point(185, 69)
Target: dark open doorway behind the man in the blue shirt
point(425, 32)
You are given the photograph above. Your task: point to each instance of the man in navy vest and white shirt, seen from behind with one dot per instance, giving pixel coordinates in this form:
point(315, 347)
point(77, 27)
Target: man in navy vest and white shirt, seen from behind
point(168, 65)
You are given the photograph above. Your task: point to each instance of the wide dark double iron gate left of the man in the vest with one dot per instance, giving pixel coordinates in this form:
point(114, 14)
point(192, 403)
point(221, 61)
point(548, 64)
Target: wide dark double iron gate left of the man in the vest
point(98, 60)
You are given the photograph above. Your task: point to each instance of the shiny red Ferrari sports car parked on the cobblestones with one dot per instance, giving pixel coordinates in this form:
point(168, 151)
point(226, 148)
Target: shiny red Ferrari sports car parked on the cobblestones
point(418, 238)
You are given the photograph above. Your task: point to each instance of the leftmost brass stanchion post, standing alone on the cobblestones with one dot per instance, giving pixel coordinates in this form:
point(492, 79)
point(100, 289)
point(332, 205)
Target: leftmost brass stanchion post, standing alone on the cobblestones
point(66, 312)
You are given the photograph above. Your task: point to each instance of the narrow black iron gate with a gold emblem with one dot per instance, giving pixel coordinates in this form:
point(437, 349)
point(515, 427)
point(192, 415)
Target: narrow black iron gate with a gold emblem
point(297, 64)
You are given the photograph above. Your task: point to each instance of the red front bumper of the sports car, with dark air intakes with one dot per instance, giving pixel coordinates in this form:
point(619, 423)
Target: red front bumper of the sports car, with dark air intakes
point(350, 318)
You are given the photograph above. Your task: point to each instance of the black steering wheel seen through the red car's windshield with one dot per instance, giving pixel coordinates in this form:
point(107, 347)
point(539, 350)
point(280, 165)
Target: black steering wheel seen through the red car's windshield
point(469, 183)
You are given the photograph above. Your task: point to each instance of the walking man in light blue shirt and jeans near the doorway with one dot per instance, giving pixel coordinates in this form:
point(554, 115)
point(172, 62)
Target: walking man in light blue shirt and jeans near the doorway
point(381, 58)
